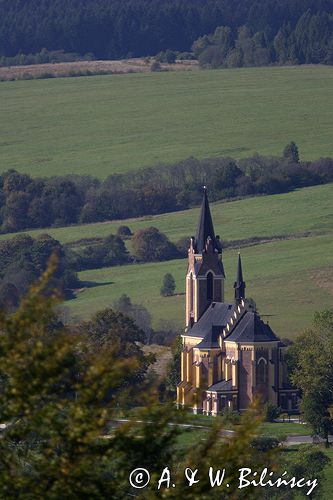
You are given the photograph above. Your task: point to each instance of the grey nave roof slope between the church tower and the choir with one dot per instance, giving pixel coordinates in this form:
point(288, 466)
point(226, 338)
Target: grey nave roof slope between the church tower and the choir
point(217, 315)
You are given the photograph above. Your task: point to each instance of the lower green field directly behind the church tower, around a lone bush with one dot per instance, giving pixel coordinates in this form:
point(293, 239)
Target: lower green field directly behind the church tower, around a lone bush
point(289, 280)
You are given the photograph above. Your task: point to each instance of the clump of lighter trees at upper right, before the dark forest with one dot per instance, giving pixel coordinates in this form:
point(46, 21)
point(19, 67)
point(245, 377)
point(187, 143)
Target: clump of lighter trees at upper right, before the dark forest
point(310, 41)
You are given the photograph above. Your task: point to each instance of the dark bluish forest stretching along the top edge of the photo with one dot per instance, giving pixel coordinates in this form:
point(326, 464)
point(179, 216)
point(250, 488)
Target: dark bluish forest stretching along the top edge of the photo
point(112, 29)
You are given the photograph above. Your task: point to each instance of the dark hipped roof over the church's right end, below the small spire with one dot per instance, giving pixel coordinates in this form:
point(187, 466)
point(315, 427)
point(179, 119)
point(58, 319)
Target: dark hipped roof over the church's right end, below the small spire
point(251, 328)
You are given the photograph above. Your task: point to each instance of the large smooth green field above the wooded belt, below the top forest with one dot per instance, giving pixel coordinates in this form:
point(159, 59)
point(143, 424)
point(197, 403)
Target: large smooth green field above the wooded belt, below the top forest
point(104, 124)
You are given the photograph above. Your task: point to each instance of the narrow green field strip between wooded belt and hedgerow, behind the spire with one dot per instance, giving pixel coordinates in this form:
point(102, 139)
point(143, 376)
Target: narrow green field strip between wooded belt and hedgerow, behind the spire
point(309, 209)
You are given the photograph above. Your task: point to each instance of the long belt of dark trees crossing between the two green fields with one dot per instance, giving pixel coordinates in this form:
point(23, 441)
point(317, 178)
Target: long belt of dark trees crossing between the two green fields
point(27, 202)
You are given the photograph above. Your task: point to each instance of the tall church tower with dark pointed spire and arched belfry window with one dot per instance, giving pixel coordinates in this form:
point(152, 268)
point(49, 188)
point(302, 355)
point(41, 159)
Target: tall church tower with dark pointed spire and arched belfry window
point(205, 273)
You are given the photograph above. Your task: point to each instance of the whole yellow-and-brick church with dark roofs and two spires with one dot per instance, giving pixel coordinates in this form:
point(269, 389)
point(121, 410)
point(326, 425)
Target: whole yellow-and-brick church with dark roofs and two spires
point(230, 355)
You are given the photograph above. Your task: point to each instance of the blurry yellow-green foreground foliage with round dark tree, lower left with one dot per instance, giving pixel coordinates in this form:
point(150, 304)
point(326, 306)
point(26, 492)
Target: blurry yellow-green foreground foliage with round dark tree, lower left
point(65, 387)
